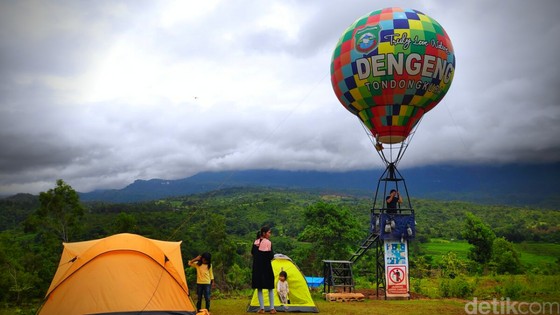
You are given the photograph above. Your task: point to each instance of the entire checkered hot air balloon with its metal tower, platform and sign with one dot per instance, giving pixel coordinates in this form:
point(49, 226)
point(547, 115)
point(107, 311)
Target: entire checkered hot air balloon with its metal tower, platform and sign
point(389, 68)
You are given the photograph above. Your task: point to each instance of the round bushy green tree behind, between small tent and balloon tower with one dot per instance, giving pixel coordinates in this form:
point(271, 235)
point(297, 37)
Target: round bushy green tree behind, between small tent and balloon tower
point(333, 231)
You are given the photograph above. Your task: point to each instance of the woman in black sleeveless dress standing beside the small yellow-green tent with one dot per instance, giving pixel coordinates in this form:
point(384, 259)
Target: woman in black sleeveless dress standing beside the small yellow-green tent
point(263, 275)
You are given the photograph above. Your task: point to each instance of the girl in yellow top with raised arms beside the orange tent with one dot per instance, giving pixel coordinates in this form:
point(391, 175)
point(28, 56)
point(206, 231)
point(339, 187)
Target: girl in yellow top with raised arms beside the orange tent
point(204, 278)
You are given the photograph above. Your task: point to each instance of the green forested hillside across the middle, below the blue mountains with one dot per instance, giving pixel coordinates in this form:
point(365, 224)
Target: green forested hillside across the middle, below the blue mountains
point(246, 209)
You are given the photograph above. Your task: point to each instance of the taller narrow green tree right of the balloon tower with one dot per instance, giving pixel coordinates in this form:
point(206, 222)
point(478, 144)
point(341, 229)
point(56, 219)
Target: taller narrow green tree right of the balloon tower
point(480, 236)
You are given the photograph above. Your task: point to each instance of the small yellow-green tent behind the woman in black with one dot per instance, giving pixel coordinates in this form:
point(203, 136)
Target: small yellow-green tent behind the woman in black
point(300, 297)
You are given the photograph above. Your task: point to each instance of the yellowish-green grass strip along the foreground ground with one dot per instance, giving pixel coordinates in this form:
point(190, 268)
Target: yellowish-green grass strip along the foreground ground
point(529, 288)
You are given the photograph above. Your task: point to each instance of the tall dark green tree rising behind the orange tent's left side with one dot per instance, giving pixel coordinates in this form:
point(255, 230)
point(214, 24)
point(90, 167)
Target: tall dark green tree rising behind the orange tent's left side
point(60, 210)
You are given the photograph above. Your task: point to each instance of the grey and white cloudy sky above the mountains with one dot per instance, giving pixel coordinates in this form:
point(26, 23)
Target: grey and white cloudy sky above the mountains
point(101, 93)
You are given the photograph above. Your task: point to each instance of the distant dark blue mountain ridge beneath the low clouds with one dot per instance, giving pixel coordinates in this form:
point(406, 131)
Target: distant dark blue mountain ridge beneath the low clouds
point(518, 185)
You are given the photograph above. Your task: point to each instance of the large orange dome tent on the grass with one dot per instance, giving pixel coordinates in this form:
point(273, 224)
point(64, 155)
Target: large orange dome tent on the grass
point(119, 274)
